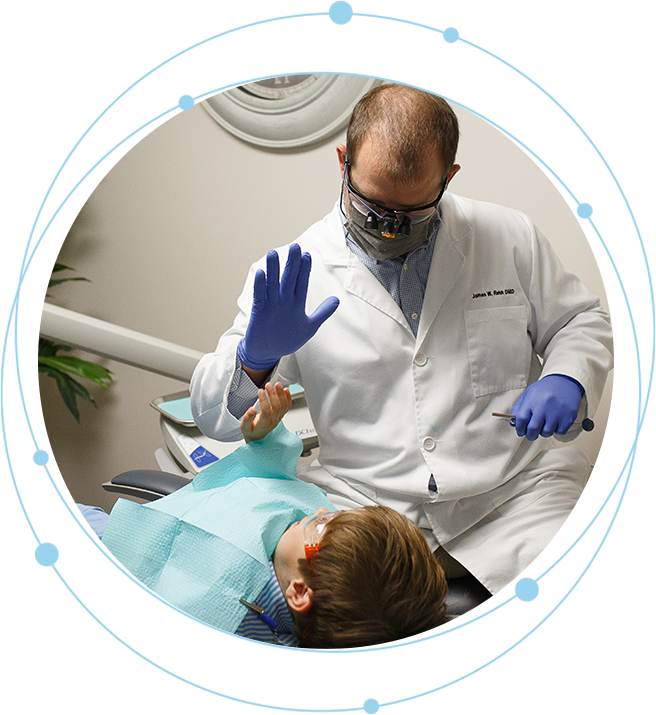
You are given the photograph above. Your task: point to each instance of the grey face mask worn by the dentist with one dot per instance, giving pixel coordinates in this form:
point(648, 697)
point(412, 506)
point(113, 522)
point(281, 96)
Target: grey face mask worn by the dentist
point(385, 234)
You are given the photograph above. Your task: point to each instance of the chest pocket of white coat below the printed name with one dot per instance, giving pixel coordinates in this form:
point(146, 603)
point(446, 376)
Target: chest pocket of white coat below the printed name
point(499, 348)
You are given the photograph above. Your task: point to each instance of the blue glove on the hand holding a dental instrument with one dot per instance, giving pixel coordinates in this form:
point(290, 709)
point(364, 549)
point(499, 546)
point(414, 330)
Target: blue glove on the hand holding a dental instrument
point(547, 406)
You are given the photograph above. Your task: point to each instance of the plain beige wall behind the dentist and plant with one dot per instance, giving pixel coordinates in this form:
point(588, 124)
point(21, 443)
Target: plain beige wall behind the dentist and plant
point(168, 234)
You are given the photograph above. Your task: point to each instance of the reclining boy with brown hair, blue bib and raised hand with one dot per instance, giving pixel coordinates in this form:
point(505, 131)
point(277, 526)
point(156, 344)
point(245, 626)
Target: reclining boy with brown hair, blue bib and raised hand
point(253, 550)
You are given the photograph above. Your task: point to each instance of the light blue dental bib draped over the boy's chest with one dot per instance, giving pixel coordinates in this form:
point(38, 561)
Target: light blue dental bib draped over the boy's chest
point(209, 544)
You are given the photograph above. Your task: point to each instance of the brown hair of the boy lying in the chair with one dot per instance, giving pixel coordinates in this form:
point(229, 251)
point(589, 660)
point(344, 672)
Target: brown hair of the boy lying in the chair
point(375, 582)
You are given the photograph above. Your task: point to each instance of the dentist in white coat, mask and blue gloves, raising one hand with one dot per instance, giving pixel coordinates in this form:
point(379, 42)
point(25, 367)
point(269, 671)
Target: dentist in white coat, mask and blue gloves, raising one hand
point(409, 314)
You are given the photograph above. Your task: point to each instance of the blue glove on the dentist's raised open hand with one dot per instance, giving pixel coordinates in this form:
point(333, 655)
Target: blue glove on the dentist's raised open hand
point(278, 325)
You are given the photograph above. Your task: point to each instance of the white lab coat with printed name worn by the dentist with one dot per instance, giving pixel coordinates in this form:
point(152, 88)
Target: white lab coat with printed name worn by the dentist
point(389, 409)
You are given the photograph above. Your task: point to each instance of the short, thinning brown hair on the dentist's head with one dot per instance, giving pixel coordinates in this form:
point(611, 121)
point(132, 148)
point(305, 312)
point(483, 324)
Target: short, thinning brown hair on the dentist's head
point(406, 123)
